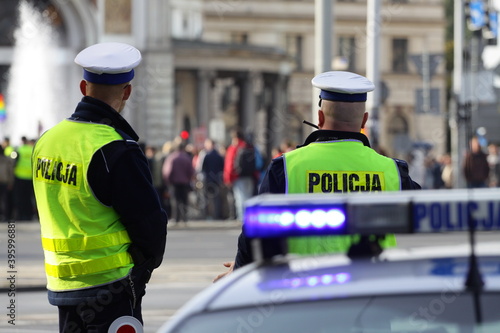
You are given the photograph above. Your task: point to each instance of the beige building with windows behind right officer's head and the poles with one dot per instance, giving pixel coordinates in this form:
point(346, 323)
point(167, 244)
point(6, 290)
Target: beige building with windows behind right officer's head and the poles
point(412, 65)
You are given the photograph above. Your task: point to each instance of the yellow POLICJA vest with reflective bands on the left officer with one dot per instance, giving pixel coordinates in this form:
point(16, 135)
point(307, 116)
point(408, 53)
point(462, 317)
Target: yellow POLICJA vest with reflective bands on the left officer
point(84, 242)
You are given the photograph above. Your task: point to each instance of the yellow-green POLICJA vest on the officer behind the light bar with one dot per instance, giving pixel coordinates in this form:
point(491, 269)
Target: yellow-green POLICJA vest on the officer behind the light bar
point(343, 166)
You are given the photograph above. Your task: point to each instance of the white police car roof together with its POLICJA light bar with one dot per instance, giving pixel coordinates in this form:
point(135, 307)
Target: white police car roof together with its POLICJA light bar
point(396, 272)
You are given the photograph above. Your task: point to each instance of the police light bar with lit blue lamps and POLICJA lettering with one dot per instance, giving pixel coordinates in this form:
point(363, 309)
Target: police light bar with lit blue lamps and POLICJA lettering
point(280, 215)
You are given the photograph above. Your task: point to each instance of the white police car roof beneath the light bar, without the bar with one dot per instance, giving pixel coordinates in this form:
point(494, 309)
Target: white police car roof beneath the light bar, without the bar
point(302, 279)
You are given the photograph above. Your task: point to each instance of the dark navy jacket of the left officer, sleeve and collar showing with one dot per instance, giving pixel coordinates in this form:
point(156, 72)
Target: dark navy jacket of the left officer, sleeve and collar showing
point(119, 177)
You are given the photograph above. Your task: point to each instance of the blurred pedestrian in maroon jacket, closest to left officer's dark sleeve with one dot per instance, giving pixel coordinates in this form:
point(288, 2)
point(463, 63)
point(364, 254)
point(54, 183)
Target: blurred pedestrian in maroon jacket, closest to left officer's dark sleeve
point(178, 172)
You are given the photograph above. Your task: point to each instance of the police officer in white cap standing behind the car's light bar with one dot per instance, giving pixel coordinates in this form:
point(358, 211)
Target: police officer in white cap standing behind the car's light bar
point(337, 158)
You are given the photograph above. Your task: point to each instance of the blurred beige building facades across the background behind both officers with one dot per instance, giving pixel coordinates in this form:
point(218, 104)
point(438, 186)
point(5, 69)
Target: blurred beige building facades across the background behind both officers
point(209, 66)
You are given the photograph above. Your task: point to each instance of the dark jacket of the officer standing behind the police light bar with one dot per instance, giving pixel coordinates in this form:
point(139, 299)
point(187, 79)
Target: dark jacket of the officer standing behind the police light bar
point(274, 182)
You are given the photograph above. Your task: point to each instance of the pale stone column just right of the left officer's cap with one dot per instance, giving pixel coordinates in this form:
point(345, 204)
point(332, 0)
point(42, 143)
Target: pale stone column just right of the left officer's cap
point(153, 102)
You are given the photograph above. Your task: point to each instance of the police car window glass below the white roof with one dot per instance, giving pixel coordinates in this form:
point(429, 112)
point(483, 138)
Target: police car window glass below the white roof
point(446, 312)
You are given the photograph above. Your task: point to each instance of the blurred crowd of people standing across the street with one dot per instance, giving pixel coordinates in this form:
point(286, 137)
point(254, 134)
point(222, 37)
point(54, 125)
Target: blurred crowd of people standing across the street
point(212, 182)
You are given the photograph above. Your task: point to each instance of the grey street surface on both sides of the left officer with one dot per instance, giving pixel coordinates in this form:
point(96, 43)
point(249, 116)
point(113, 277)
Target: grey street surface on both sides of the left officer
point(194, 256)
